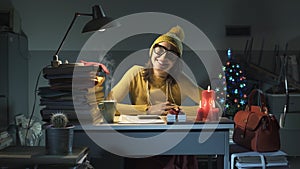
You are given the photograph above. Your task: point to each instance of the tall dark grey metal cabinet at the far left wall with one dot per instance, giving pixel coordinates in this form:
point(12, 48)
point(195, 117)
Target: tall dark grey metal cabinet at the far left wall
point(13, 77)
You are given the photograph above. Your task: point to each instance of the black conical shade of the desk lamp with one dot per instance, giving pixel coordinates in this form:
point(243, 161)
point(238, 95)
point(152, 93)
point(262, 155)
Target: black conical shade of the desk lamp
point(99, 21)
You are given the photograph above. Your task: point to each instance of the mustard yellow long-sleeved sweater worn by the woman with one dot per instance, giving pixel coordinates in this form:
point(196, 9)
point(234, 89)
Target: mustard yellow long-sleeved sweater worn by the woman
point(142, 94)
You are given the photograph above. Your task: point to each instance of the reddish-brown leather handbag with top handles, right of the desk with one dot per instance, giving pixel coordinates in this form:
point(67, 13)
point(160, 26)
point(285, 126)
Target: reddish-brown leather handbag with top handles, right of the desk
point(255, 129)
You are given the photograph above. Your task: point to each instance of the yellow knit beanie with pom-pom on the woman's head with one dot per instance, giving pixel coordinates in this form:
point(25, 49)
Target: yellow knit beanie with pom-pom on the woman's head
point(175, 37)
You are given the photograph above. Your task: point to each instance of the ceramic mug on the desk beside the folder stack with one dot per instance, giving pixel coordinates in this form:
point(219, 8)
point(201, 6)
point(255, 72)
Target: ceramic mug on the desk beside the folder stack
point(108, 110)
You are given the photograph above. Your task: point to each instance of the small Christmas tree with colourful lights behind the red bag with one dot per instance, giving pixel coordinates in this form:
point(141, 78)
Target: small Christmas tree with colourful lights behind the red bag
point(236, 97)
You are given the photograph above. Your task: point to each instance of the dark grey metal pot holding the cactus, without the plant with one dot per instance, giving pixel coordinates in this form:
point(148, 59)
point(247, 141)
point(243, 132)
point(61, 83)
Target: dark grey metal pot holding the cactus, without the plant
point(59, 141)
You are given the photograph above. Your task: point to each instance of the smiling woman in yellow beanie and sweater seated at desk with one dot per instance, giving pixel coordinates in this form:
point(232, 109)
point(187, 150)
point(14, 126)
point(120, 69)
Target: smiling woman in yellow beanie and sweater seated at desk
point(155, 89)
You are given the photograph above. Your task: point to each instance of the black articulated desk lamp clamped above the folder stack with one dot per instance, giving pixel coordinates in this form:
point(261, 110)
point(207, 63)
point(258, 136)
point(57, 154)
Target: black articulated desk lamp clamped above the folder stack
point(99, 22)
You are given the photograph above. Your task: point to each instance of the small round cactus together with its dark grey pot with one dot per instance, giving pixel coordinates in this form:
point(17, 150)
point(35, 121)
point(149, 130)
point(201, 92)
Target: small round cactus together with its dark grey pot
point(59, 135)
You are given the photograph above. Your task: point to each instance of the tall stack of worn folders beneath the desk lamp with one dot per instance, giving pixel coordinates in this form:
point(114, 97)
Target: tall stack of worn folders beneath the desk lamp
point(73, 89)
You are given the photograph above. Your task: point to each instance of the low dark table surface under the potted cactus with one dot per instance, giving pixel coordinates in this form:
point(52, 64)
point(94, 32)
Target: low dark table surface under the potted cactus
point(36, 155)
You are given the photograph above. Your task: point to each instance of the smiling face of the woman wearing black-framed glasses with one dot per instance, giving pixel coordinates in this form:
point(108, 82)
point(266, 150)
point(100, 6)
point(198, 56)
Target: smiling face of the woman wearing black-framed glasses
point(164, 56)
